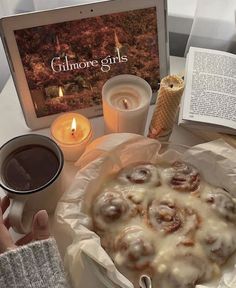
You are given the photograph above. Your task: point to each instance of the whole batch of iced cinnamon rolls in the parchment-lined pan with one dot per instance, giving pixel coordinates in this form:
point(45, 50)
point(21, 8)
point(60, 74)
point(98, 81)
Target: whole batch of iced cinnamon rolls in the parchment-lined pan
point(160, 217)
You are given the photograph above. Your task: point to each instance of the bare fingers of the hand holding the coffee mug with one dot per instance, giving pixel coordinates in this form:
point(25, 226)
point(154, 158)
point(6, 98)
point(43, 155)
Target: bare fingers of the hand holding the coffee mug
point(40, 228)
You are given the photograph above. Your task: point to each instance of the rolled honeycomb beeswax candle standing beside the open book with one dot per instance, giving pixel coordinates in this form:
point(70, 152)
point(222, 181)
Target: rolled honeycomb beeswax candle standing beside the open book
point(169, 95)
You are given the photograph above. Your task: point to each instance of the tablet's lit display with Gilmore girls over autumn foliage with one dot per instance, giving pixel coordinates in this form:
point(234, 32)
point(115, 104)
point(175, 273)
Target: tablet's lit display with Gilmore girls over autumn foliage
point(66, 64)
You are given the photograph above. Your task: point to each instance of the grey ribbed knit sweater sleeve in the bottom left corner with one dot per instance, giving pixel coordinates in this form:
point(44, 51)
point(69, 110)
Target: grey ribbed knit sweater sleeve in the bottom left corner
point(36, 265)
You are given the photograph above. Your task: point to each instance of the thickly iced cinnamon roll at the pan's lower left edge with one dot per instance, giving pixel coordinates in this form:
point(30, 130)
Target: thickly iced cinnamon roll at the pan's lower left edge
point(134, 248)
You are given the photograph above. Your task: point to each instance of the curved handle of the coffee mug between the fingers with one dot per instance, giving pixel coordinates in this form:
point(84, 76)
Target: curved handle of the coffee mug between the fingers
point(19, 223)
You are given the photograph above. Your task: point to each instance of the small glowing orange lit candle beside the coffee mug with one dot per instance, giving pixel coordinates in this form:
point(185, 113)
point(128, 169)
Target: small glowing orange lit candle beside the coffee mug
point(72, 132)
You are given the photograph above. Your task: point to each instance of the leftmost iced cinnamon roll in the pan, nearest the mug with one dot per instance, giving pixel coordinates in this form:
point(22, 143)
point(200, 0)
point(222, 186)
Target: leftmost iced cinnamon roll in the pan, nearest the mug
point(108, 208)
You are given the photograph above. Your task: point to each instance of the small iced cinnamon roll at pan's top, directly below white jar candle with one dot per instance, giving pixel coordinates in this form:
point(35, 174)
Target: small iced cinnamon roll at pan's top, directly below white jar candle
point(140, 174)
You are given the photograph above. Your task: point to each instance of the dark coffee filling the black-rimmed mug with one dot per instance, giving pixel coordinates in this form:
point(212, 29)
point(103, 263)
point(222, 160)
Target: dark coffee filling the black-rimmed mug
point(29, 167)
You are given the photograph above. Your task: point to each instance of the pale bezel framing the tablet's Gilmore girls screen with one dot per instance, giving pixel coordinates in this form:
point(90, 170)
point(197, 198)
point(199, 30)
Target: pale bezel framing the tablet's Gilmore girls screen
point(34, 19)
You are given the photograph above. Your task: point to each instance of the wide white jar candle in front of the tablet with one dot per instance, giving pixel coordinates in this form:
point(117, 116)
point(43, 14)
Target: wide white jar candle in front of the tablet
point(126, 100)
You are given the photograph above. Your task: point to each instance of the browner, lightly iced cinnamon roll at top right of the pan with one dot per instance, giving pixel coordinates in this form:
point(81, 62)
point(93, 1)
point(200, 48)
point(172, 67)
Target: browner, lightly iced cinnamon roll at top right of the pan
point(182, 177)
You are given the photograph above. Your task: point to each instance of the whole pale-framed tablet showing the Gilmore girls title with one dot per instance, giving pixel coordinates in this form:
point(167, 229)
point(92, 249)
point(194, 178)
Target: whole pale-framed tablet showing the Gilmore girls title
point(61, 58)
